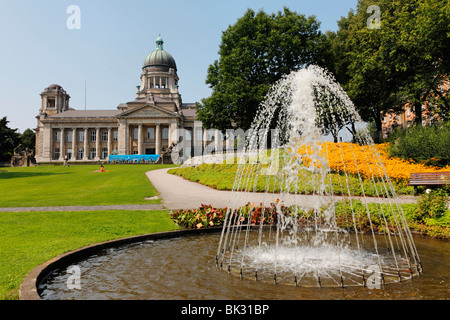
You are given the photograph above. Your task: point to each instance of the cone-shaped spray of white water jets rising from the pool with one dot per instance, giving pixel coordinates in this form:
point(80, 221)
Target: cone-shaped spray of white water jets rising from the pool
point(310, 244)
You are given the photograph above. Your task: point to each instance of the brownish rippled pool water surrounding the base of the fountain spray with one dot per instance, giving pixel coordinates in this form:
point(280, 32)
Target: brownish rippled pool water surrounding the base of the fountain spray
point(184, 268)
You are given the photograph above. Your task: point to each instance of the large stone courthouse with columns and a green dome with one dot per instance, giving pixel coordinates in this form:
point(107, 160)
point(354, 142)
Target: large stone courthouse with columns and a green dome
point(140, 127)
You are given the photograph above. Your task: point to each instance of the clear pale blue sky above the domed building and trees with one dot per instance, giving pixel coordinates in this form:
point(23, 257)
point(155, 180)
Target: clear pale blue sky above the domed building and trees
point(107, 52)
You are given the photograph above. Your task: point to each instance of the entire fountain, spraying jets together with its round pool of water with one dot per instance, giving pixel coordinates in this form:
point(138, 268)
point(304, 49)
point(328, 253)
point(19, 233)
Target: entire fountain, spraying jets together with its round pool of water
point(335, 237)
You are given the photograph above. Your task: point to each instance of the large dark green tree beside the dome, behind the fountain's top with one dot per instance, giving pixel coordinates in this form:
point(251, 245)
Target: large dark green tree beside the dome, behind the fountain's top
point(255, 53)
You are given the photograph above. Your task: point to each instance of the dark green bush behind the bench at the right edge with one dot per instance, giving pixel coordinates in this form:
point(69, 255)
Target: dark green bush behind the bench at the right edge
point(429, 145)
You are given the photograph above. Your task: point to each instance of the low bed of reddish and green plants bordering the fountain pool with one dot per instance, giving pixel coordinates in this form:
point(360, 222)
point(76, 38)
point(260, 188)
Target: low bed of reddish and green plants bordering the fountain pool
point(208, 216)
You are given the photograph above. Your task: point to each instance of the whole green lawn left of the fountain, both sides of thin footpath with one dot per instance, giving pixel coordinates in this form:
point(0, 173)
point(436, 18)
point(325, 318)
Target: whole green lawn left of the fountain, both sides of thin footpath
point(31, 238)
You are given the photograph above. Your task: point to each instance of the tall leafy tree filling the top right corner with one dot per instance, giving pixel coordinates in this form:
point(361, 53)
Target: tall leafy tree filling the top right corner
point(401, 62)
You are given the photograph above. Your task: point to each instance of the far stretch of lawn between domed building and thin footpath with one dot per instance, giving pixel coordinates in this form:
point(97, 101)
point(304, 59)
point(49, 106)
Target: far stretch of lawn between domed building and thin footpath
point(76, 185)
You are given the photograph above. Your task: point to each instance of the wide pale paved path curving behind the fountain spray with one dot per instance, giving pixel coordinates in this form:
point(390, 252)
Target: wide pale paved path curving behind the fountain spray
point(178, 193)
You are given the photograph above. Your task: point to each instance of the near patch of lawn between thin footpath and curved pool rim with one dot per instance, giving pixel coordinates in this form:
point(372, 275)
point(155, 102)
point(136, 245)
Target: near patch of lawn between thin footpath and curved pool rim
point(29, 239)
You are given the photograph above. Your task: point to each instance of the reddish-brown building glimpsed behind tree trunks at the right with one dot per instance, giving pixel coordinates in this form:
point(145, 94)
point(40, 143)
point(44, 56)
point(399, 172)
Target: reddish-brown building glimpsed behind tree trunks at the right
point(392, 120)
